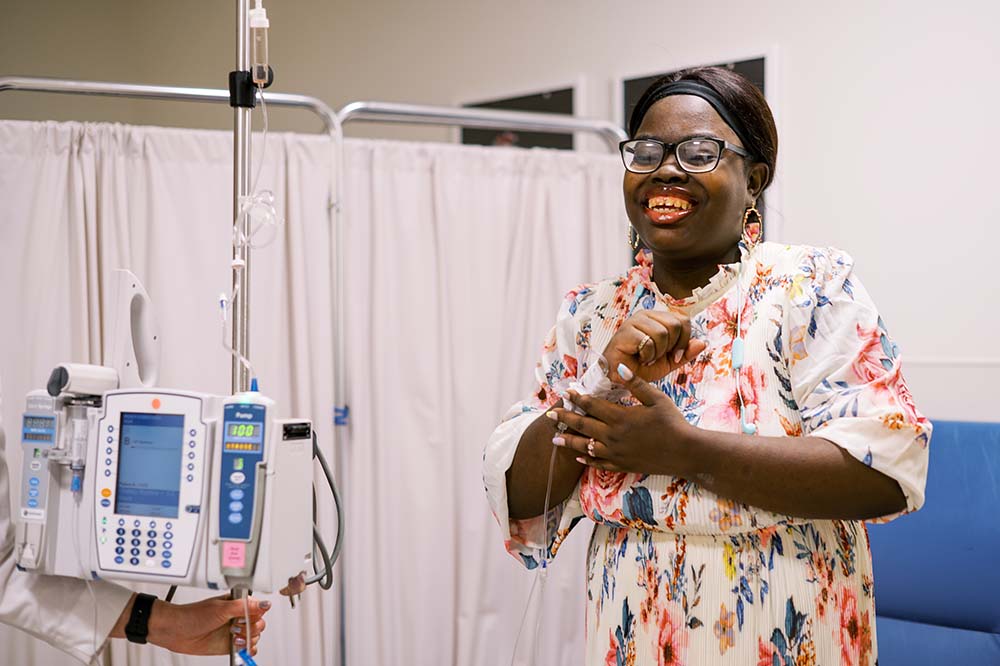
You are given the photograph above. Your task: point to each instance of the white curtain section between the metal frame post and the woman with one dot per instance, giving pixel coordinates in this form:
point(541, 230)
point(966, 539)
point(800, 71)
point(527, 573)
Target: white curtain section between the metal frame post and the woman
point(458, 258)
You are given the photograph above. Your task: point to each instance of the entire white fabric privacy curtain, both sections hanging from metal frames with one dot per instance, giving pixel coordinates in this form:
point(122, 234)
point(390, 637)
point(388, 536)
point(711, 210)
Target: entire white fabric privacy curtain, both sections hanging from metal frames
point(457, 258)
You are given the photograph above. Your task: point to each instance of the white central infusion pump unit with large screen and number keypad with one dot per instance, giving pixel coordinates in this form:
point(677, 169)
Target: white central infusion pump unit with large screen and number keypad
point(152, 466)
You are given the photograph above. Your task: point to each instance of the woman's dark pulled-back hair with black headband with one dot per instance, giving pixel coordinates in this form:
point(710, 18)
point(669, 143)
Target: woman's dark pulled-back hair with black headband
point(740, 96)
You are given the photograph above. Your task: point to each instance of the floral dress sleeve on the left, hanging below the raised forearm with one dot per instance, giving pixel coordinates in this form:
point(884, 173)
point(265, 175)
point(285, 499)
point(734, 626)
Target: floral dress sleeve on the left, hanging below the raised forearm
point(565, 357)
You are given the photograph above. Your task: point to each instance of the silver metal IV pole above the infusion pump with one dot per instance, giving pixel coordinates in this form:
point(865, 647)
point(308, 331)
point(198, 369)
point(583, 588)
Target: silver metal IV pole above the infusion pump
point(241, 188)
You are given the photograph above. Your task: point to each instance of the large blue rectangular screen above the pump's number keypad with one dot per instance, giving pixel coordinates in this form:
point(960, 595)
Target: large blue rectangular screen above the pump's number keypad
point(149, 464)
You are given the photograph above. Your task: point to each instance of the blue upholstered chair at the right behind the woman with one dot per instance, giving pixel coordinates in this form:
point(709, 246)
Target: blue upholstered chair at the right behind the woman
point(937, 571)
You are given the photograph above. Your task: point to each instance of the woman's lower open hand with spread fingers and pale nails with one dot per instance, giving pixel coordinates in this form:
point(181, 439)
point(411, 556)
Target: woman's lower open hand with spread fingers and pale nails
point(647, 438)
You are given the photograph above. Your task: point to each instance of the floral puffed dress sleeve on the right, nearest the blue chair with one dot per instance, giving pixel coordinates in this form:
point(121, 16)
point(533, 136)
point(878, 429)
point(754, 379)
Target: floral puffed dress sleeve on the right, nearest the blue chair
point(845, 374)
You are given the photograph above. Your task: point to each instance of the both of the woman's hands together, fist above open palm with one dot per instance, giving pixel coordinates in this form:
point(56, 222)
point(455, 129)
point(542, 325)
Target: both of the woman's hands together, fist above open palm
point(644, 438)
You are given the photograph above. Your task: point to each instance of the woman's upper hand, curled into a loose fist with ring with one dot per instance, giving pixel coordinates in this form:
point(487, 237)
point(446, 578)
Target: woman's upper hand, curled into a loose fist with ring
point(668, 347)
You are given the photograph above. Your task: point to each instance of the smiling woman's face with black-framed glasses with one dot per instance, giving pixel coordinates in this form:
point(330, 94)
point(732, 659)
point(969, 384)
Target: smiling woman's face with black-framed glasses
point(691, 216)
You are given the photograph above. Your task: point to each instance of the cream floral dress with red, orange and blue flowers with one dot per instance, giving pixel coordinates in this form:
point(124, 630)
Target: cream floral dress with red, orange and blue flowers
point(677, 574)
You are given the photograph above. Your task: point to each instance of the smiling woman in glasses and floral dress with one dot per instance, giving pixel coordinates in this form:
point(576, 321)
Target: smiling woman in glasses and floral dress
point(727, 413)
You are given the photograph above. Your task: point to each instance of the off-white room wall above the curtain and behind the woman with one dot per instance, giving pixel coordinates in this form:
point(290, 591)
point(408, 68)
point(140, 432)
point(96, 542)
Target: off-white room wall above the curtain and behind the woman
point(871, 96)
